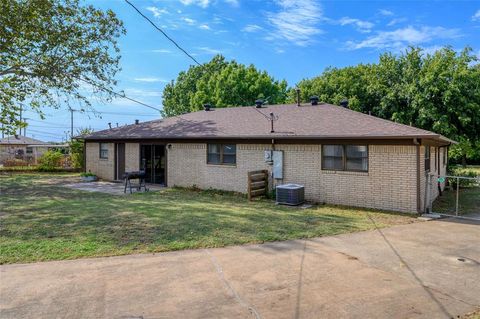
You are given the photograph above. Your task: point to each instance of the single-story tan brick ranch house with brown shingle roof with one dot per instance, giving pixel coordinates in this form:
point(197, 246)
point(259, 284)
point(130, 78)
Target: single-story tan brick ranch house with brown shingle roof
point(340, 156)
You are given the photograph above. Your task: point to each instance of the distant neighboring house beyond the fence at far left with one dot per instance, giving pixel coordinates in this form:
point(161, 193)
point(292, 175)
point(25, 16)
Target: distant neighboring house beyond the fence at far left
point(24, 148)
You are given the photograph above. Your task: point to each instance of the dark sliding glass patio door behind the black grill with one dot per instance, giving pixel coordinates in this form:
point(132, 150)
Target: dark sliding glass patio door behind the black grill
point(153, 159)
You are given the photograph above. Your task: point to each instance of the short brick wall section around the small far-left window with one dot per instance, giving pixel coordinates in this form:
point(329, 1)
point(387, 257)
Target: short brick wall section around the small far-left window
point(104, 168)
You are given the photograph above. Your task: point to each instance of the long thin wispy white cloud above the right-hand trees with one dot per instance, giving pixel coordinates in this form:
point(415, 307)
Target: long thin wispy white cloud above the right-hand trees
point(403, 37)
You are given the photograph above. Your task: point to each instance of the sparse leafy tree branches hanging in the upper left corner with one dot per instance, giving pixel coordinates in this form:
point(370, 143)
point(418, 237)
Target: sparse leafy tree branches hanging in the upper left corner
point(53, 53)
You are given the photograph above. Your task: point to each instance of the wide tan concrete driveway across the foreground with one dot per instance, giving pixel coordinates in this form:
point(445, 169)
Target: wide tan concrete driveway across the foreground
point(422, 270)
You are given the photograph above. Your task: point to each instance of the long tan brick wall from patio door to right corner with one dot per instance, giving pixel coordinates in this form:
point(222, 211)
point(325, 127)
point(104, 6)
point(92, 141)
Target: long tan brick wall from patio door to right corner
point(390, 183)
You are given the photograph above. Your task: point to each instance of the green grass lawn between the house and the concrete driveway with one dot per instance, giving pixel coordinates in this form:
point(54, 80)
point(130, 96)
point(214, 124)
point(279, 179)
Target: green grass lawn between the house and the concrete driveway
point(43, 220)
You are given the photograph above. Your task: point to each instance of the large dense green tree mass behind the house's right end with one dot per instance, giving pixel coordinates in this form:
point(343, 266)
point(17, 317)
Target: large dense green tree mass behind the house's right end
point(438, 92)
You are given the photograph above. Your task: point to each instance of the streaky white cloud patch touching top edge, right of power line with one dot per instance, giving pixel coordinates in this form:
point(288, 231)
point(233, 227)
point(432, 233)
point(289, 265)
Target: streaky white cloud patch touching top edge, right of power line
point(295, 22)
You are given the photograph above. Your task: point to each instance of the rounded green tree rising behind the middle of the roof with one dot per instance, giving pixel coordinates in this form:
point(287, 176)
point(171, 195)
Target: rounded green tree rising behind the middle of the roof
point(222, 84)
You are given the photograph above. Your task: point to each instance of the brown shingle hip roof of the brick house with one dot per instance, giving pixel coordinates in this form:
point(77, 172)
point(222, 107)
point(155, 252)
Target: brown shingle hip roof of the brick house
point(323, 121)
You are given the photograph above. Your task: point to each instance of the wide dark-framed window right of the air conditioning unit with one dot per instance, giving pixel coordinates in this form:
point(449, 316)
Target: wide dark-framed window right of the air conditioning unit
point(345, 157)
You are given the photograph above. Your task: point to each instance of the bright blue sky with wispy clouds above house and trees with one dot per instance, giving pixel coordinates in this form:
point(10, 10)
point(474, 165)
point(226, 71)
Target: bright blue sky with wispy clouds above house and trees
point(289, 39)
